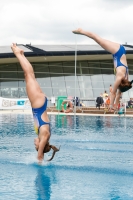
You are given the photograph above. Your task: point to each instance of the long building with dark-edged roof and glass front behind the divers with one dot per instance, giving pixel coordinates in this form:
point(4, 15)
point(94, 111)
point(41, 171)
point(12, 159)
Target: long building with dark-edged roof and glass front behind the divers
point(54, 67)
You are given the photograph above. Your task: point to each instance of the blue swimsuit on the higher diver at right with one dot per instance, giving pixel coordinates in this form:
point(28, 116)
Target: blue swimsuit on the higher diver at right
point(117, 56)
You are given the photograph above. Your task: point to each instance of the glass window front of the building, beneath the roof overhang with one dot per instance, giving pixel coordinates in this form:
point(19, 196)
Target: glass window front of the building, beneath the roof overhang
point(58, 78)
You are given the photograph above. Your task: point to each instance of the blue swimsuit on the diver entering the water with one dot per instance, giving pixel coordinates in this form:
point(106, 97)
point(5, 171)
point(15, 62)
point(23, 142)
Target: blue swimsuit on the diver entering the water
point(37, 113)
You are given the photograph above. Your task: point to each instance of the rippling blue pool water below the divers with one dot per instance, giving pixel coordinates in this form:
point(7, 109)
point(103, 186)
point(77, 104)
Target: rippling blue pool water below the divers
point(95, 161)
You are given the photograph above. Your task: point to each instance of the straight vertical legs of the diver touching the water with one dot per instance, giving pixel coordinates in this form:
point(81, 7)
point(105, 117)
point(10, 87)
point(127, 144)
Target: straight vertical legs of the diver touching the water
point(34, 91)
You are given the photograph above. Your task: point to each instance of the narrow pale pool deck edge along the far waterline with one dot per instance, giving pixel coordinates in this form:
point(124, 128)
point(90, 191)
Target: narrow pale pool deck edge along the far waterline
point(60, 113)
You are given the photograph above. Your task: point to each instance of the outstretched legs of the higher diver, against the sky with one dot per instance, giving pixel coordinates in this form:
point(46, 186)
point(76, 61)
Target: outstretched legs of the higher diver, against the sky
point(109, 46)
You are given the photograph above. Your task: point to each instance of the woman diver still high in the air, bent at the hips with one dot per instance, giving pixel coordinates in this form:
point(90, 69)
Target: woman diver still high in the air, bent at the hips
point(120, 65)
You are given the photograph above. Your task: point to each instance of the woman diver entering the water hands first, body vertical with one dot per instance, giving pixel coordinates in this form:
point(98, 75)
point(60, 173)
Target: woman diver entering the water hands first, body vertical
point(39, 105)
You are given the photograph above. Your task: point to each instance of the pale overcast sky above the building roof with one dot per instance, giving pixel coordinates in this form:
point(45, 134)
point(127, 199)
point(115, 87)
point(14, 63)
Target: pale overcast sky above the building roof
point(51, 22)
